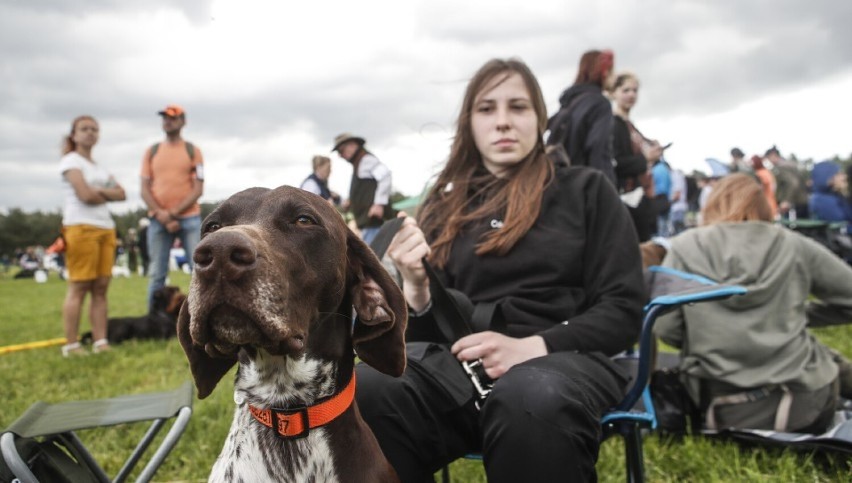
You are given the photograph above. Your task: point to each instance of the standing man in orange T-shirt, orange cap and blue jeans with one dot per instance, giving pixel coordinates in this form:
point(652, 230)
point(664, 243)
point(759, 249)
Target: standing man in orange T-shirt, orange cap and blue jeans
point(172, 182)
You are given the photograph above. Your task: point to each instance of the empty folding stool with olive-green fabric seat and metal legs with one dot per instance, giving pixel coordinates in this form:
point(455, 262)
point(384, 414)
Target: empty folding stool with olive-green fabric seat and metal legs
point(59, 422)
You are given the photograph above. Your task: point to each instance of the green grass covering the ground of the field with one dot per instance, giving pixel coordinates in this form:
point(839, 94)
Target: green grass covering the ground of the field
point(31, 312)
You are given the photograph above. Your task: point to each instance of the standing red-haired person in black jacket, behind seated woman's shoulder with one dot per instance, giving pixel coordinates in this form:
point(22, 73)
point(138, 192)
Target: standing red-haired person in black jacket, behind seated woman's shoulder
point(583, 125)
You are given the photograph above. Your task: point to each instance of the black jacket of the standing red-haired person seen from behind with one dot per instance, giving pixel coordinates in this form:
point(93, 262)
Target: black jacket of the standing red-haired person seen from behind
point(584, 122)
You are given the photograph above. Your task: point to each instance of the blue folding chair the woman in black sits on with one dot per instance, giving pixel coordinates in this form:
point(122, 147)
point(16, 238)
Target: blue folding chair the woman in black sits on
point(669, 289)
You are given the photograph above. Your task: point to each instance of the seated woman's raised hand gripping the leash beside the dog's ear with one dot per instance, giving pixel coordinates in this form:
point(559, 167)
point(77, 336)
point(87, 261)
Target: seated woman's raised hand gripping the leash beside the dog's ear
point(407, 250)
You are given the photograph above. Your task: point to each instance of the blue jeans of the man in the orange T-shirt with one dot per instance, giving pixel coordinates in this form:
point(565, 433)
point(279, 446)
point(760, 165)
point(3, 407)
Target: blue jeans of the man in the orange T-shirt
point(160, 243)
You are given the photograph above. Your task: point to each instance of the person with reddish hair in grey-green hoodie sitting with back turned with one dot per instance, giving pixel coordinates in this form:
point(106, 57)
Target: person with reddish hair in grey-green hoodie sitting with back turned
point(749, 361)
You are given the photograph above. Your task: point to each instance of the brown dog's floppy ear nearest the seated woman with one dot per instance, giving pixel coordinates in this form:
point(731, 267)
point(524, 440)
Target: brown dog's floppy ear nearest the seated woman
point(382, 314)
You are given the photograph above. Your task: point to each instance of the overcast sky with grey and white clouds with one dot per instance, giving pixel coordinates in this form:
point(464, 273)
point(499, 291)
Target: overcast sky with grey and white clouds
point(268, 84)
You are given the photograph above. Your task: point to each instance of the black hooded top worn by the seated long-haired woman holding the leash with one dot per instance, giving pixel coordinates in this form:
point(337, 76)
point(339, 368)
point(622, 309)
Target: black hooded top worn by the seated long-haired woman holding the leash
point(579, 263)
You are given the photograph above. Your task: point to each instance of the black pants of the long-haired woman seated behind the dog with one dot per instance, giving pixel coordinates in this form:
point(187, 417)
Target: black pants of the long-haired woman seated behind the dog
point(540, 423)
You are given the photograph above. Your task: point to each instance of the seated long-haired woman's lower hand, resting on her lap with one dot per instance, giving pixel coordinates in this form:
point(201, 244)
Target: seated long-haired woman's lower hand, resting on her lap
point(497, 351)
